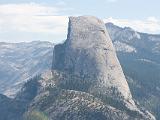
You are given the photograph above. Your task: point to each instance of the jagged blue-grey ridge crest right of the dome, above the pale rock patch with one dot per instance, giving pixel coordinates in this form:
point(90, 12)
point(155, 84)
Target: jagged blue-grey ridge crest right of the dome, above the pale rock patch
point(141, 41)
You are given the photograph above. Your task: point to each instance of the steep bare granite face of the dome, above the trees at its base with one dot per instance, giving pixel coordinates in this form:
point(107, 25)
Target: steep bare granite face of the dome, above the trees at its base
point(89, 53)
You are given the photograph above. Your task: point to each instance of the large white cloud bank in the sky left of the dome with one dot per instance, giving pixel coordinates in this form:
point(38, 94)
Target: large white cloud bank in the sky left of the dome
point(34, 18)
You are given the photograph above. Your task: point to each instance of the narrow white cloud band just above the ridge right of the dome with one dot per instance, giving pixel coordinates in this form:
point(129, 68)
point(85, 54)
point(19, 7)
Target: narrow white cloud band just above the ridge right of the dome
point(150, 25)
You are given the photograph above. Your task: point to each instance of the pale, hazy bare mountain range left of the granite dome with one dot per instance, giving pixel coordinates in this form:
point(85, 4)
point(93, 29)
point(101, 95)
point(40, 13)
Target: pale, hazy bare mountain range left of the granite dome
point(22, 61)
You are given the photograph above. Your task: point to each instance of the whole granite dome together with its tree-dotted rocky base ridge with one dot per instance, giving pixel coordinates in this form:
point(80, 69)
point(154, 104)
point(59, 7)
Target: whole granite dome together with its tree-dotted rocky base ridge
point(87, 81)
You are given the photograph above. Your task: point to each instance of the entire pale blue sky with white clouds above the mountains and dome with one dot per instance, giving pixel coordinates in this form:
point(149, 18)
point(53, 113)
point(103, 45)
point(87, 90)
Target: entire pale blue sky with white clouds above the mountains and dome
point(28, 20)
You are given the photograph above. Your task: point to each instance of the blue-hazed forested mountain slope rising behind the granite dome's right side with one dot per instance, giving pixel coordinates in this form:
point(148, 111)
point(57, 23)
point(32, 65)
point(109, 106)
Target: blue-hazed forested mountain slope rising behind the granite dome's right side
point(139, 55)
